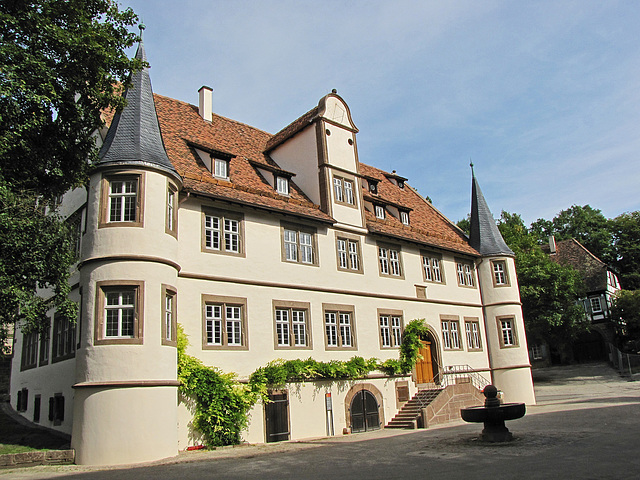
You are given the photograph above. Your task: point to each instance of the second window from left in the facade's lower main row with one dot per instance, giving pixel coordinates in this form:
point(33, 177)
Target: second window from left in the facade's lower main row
point(291, 324)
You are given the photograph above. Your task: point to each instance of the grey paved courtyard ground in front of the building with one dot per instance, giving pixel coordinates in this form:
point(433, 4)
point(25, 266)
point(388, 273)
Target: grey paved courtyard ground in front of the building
point(586, 425)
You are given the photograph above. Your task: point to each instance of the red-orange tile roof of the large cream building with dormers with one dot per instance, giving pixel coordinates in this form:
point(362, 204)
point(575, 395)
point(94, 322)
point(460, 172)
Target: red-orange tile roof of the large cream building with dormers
point(183, 129)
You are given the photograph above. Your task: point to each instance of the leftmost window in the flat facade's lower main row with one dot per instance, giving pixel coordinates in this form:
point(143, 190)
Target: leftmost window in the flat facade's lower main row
point(224, 322)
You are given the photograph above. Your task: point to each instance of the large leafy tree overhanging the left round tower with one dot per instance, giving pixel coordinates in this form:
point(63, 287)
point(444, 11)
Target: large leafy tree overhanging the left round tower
point(62, 62)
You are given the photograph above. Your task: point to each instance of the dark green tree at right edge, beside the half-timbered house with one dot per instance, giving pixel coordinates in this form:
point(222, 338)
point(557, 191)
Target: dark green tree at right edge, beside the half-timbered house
point(625, 230)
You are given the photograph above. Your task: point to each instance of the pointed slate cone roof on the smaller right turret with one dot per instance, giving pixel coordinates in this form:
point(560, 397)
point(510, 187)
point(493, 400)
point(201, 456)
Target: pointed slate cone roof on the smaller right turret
point(485, 236)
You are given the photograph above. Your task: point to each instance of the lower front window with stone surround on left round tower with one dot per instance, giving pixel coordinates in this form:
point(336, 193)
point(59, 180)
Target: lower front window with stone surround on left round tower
point(119, 319)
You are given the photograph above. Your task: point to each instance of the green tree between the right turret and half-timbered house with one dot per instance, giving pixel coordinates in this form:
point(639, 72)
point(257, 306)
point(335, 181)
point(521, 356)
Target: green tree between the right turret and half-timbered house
point(548, 291)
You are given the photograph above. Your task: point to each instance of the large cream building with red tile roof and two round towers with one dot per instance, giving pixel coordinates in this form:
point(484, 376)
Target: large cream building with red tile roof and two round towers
point(262, 247)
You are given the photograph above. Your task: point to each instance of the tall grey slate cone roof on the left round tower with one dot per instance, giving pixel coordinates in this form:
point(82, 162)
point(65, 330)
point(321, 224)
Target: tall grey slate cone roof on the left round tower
point(134, 136)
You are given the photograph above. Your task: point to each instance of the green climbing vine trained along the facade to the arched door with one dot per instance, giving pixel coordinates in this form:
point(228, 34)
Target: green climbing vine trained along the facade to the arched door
point(222, 403)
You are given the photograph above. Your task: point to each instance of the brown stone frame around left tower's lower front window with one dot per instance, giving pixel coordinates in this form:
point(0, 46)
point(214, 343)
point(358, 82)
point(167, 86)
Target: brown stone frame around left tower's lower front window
point(138, 327)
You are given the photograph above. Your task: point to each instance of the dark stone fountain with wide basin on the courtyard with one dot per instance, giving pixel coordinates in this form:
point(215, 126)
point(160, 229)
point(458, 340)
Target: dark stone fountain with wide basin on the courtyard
point(493, 415)
